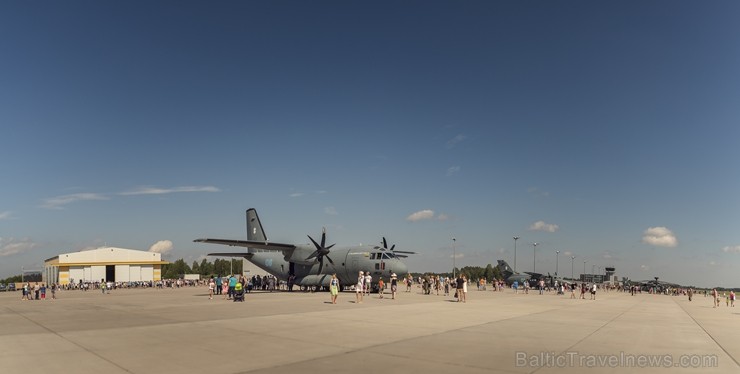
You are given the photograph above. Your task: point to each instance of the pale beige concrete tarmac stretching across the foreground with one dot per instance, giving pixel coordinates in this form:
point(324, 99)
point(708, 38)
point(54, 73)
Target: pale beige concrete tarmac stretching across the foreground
point(182, 331)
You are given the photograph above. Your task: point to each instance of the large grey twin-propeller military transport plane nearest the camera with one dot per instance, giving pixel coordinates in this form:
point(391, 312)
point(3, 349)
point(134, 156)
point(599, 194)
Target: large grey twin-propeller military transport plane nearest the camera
point(313, 264)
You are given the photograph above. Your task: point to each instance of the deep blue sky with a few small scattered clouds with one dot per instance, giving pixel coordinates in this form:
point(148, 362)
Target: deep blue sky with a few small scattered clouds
point(608, 131)
